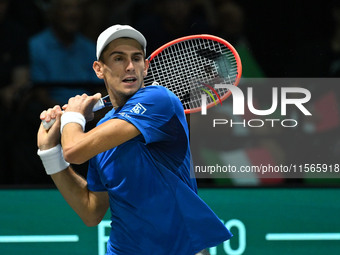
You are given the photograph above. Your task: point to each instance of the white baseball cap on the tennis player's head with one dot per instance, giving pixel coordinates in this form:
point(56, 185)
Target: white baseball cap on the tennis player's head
point(118, 31)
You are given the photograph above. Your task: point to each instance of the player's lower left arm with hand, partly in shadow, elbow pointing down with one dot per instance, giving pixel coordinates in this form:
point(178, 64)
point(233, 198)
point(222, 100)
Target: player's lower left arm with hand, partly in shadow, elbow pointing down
point(90, 206)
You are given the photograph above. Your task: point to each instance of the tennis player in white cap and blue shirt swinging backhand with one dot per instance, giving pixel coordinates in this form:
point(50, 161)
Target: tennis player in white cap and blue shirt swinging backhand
point(139, 158)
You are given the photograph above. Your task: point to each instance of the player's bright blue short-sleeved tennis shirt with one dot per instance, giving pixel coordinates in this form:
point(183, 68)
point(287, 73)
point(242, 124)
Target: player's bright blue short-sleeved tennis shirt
point(153, 200)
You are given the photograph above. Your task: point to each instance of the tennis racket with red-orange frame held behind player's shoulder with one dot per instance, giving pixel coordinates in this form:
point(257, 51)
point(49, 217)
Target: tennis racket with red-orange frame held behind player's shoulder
point(190, 67)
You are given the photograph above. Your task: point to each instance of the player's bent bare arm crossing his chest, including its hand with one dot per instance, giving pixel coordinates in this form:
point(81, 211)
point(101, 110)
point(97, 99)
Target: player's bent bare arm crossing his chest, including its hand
point(79, 146)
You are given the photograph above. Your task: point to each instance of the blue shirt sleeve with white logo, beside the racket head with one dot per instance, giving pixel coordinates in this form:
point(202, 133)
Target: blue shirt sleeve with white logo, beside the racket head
point(151, 110)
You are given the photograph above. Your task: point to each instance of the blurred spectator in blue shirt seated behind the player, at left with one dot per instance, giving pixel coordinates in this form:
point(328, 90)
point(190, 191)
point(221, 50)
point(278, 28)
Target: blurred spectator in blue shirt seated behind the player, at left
point(60, 55)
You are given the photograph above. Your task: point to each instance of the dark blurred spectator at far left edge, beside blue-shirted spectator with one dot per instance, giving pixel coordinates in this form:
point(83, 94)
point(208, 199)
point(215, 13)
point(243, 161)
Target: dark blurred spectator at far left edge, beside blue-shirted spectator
point(14, 77)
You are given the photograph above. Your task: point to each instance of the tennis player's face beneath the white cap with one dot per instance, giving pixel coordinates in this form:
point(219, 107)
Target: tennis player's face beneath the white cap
point(124, 68)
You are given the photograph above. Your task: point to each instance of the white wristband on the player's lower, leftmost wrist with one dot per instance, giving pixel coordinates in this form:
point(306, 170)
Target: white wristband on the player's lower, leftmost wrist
point(53, 160)
